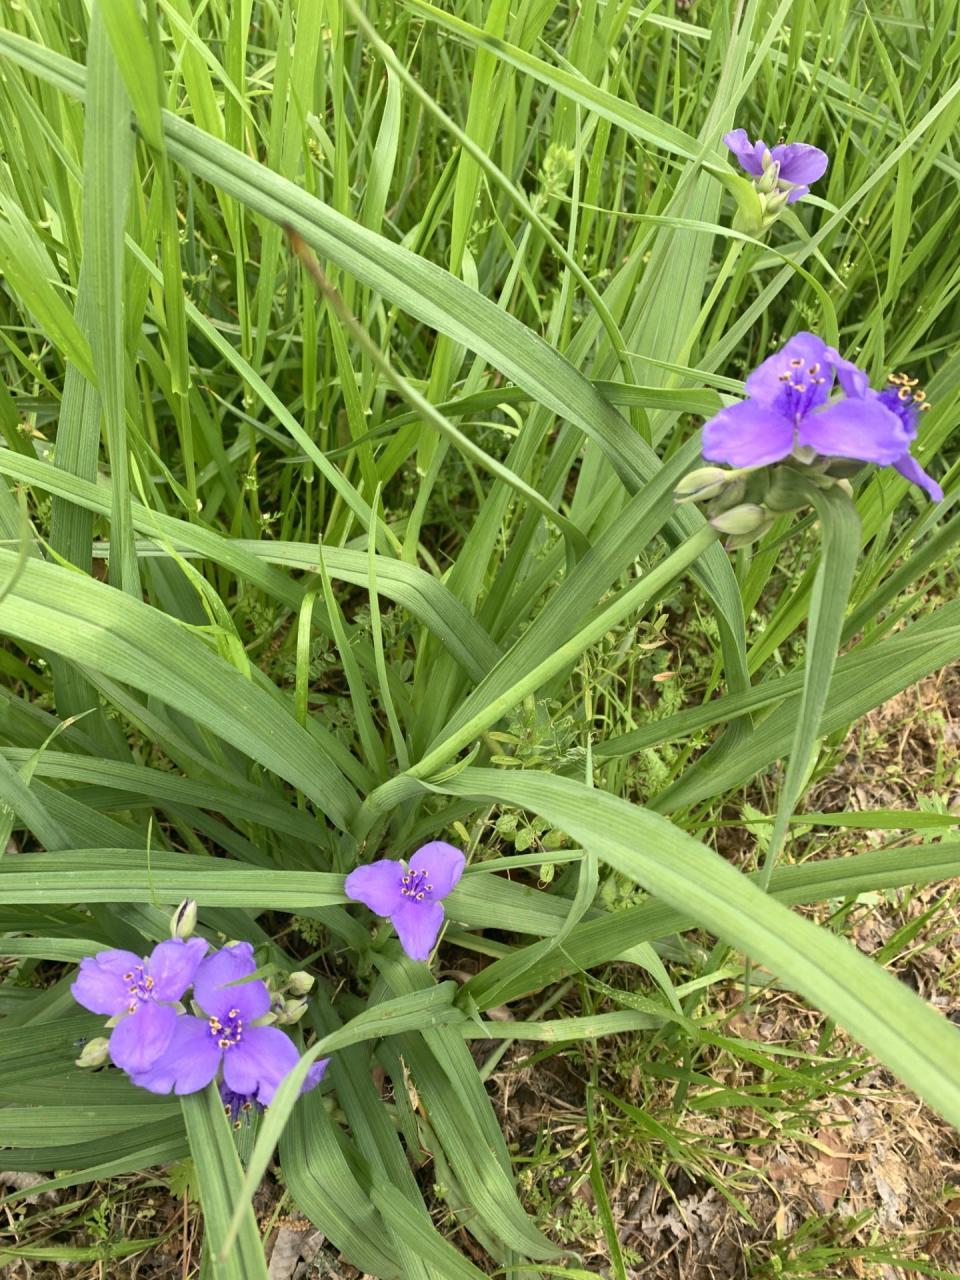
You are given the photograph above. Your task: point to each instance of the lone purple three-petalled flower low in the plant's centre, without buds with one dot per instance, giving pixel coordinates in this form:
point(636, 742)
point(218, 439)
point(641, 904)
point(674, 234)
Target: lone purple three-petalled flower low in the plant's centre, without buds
point(410, 894)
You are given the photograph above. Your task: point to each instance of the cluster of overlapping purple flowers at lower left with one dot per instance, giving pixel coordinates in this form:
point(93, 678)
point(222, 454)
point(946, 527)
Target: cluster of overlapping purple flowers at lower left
point(163, 1048)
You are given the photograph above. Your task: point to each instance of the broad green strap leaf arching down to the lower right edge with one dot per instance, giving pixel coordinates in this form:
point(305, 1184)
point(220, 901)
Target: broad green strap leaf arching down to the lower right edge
point(885, 1016)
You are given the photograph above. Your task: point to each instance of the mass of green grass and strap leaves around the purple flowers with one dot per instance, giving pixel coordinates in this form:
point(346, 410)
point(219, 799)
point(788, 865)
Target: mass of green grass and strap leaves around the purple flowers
point(280, 598)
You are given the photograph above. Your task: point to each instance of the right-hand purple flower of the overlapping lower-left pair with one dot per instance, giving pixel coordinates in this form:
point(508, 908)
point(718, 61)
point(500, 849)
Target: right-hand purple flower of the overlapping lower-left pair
point(255, 1059)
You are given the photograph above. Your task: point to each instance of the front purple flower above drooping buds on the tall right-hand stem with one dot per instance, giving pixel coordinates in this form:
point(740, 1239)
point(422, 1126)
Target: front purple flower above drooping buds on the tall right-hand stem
point(787, 409)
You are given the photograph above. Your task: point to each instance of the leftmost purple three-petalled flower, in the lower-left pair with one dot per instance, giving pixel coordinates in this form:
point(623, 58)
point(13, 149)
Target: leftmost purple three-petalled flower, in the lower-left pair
point(121, 984)
